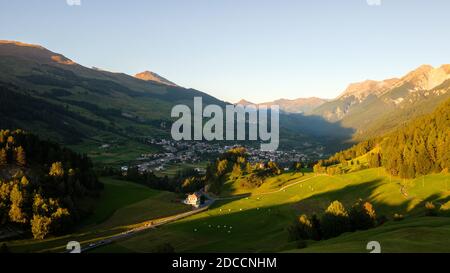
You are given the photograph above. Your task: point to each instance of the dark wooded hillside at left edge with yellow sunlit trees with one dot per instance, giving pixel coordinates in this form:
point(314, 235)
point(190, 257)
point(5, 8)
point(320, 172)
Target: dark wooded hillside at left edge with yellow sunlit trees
point(42, 185)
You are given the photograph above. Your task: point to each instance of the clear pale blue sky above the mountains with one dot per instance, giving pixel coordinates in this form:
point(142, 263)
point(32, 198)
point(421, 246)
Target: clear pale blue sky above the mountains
point(259, 50)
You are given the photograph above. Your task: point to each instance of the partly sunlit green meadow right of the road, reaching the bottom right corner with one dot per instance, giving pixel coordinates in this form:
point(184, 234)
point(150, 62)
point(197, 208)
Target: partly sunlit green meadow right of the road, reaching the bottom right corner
point(256, 221)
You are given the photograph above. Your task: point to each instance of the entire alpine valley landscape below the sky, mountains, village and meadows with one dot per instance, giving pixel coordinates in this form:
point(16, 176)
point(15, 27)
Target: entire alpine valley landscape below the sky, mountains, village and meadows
point(86, 156)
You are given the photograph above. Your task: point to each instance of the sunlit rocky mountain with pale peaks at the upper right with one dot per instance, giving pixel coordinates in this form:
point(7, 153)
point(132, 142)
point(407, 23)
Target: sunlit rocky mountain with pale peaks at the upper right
point(375, 107)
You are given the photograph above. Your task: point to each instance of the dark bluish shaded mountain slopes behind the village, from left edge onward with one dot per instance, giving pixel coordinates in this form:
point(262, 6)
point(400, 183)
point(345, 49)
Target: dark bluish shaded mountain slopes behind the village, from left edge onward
point(72, 104)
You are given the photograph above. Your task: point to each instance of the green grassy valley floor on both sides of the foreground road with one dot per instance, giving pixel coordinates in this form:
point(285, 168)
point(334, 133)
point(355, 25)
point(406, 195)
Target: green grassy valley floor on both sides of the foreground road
point(255, 220)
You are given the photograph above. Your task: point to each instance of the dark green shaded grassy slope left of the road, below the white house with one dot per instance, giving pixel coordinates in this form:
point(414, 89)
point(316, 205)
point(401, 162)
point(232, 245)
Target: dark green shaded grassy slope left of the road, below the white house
point(121, 205)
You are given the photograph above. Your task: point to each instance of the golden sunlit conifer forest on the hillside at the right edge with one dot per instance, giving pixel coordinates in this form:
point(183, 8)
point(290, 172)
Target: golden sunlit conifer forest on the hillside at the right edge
point(420, 147)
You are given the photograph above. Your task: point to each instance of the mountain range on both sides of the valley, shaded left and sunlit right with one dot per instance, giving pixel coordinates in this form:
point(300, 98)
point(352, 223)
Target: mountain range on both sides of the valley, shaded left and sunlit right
point(51, 95)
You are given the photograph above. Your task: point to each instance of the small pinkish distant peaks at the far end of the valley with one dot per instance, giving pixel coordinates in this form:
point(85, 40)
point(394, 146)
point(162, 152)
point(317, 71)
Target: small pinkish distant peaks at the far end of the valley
point(300, 105)
